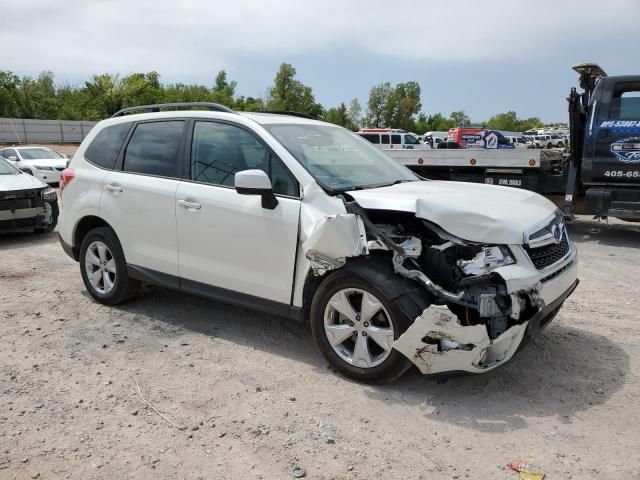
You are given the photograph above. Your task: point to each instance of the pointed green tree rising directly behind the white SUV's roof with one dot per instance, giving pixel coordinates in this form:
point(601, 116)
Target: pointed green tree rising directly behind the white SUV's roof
point(290, 94)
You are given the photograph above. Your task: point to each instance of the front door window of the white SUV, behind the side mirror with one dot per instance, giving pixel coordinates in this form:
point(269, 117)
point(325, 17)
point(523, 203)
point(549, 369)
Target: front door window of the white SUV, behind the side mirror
point(219, 150)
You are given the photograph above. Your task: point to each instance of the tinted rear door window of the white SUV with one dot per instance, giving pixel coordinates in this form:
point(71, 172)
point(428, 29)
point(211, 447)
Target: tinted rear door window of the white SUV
point(153, 149)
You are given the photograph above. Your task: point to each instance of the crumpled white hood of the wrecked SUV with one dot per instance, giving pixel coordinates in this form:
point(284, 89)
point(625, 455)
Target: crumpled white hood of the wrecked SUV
point(471, 211)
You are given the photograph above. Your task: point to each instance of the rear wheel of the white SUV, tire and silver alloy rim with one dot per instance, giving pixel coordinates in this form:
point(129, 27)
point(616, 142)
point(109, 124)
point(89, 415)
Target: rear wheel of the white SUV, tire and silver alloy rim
point(104, 269)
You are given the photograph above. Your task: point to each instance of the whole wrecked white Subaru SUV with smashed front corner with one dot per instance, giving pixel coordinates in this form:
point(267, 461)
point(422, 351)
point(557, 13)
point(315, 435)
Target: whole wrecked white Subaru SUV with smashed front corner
point(304, 219)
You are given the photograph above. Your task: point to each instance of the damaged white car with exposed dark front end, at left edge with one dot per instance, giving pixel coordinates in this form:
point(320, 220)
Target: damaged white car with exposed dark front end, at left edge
point(26, 203)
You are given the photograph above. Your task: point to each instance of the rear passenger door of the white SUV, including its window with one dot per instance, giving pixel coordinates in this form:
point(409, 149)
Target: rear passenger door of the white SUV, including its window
point(138, 197)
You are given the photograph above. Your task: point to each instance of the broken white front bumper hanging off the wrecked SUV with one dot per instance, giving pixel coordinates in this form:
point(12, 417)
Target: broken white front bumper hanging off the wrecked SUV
point(437, 342)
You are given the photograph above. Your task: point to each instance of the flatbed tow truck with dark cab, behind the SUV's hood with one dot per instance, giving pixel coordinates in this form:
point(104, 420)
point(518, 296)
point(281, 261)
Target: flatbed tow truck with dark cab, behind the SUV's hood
point(598, 174)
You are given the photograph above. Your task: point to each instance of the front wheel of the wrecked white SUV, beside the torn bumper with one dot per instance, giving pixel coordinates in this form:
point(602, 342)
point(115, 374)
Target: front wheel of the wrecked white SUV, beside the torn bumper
point(355, 320)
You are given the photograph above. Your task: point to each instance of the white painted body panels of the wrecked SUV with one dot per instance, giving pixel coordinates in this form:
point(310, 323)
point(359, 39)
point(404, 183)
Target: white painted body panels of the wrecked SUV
point(214, 236)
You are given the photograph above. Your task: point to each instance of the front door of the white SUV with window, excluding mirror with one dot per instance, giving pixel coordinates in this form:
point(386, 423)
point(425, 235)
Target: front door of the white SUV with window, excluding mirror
point(228, 240)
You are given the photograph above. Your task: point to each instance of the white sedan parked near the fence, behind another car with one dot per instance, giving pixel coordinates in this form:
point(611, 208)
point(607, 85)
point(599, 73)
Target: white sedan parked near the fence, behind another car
point(41, 162)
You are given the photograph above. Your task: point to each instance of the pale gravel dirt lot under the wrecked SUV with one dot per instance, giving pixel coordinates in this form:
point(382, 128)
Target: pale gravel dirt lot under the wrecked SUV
point(255, 397)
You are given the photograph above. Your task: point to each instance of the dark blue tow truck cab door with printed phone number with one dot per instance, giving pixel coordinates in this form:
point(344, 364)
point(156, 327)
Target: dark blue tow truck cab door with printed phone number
point(612, 137)
